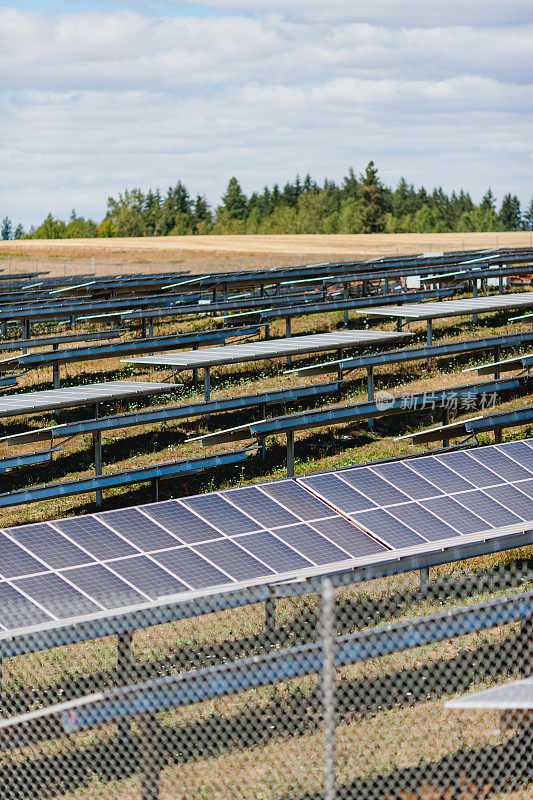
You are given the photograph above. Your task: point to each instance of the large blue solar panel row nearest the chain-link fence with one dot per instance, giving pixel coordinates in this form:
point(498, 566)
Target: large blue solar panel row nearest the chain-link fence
point(107, 561)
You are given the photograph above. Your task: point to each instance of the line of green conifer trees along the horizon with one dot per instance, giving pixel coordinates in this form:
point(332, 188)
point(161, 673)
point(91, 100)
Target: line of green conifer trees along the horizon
point(357, 204)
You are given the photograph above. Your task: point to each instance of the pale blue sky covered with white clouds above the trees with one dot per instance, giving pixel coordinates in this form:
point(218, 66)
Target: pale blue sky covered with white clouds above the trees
point(100, 95)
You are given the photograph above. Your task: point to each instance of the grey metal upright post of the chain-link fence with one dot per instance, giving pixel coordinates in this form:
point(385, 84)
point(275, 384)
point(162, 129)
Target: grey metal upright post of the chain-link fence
point(327, 619)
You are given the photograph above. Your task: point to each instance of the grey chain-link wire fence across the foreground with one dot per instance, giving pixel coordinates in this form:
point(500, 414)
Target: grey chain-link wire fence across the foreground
point(342, 695)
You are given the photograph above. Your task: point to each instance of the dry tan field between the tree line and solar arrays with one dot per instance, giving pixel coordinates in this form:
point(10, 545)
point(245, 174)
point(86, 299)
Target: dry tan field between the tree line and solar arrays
point(220, 253)
